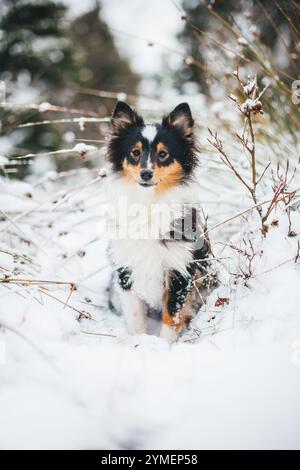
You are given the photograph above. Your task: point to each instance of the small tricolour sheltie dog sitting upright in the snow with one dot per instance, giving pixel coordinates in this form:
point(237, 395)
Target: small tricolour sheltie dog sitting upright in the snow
point(159, 250)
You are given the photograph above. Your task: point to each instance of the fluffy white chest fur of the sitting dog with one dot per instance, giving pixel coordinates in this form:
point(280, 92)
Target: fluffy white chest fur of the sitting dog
point(135, 244)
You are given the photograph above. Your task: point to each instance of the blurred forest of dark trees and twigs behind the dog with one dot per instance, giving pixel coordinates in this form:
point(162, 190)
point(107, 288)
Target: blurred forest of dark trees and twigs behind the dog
point(47, 56)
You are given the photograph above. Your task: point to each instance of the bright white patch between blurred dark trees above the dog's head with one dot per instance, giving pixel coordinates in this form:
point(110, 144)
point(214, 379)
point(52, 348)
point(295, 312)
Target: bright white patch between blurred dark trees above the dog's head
point(147, 44)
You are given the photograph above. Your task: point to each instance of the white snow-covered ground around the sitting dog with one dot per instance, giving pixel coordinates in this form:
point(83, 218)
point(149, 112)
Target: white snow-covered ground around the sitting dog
point(233, 379)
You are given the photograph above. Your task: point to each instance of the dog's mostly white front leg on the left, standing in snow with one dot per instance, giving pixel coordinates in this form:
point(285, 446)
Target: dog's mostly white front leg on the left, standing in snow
point(132, 306)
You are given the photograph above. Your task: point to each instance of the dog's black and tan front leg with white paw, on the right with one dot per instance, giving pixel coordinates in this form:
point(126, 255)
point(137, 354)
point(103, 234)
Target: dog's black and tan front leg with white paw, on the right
point(177, 306)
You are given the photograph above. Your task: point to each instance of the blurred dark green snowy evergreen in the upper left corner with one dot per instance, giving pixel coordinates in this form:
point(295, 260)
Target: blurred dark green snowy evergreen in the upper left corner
point(32, 39)
